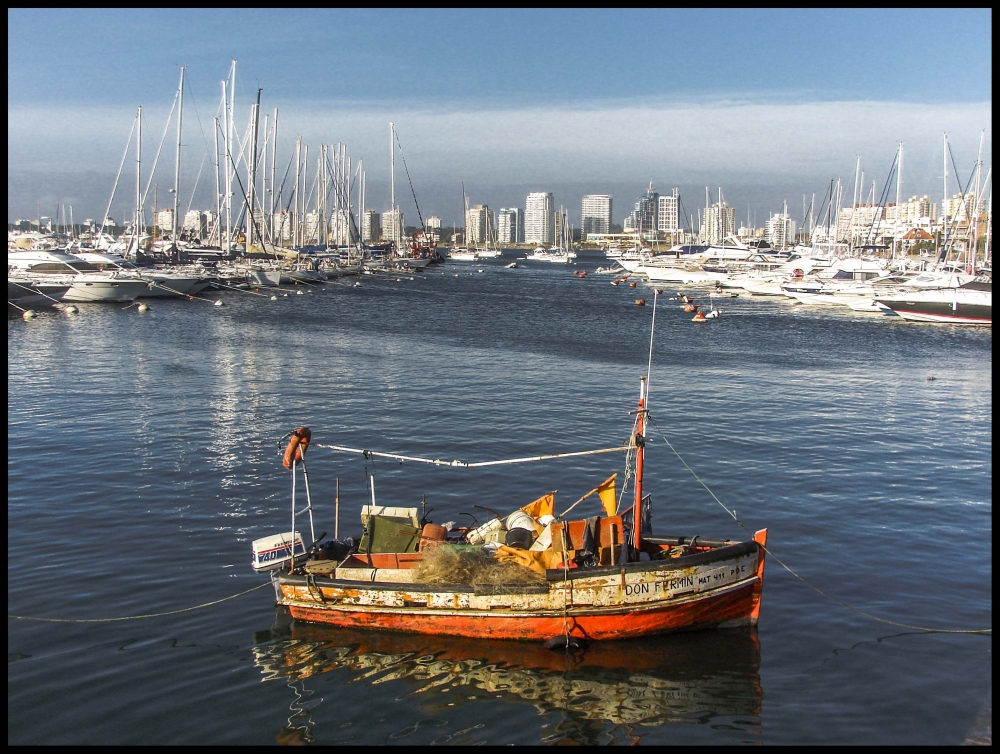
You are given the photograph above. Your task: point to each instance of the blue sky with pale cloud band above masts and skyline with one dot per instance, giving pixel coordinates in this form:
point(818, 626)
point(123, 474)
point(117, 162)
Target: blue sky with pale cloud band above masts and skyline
point(766, 106)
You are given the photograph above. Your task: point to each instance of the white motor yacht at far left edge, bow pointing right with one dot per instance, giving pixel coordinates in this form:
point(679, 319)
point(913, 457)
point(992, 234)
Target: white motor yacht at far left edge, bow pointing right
point(87, 284)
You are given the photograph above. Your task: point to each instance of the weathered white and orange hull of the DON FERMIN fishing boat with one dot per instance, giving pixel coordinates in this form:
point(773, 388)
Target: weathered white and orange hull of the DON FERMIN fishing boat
point(711, 589)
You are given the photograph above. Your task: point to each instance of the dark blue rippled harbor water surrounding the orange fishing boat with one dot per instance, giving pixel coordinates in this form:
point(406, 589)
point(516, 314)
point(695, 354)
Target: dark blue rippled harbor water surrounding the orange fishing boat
point(142, 460)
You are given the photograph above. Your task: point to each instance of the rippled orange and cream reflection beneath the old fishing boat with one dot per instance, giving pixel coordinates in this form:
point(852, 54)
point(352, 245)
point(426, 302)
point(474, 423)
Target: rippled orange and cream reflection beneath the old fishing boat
point(705, 677)
